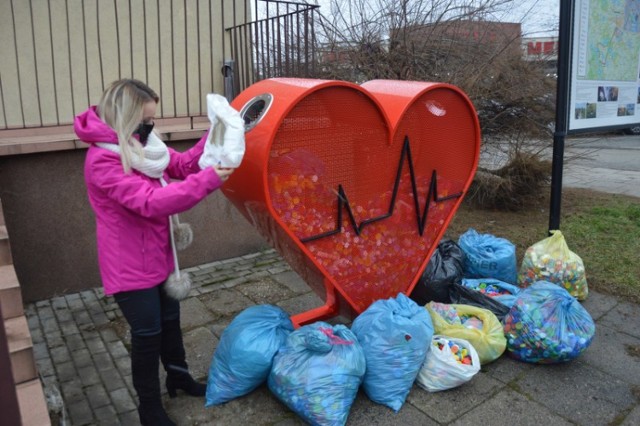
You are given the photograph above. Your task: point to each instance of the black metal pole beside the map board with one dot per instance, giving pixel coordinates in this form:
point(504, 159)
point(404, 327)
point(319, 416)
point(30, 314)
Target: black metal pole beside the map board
point(562, 100)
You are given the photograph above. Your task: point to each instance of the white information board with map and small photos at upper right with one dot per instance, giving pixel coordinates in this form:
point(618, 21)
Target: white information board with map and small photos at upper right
point(605, 72)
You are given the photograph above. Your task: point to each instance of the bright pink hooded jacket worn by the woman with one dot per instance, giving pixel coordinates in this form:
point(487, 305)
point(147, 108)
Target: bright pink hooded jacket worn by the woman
point(132, 210)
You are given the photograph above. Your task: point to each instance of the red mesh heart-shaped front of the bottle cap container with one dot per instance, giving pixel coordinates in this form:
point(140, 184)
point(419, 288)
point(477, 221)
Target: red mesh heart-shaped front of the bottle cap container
point(340, 186)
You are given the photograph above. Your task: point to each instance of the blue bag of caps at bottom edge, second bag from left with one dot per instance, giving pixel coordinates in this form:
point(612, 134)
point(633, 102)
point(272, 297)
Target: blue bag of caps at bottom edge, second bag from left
point(317, 373)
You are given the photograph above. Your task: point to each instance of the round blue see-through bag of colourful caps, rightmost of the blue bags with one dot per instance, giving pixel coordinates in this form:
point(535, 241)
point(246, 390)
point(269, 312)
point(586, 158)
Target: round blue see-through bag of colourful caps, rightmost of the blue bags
point(547, 325)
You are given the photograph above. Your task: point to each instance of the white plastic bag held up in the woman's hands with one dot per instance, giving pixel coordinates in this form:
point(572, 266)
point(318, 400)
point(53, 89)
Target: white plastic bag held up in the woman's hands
point(225, 142)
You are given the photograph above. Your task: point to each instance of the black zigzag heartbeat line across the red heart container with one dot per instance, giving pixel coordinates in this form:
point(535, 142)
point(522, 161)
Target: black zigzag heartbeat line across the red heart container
point(421, 216)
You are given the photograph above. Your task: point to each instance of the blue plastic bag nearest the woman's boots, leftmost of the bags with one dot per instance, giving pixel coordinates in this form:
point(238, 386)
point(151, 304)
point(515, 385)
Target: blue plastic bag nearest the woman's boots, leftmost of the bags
point(243, 358)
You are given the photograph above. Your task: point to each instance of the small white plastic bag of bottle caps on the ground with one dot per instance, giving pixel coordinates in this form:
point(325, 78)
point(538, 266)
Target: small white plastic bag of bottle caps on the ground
point(441, 370)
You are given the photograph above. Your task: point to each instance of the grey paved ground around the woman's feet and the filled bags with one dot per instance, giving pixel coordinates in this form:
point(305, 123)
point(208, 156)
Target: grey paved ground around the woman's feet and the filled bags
point(81, 345)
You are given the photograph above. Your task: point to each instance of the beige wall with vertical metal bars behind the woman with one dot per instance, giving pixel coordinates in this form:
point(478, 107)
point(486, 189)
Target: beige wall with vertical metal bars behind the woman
point(59, 55)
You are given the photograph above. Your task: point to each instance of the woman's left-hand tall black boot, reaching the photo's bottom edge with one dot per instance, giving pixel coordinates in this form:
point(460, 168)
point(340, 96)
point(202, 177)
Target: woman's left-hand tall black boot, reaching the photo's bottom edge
point(145, 362)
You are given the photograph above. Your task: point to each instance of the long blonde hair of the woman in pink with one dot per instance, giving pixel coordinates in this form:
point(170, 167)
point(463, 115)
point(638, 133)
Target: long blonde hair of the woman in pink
point(121, 107)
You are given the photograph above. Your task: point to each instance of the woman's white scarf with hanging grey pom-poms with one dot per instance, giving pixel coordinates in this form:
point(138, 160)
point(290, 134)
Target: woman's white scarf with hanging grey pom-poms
point(153, 164)
